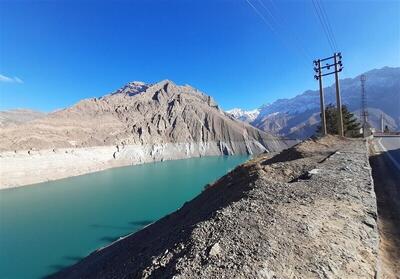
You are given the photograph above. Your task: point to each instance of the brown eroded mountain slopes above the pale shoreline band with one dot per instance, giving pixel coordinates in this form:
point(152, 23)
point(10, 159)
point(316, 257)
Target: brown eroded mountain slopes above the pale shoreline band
point(135, 114)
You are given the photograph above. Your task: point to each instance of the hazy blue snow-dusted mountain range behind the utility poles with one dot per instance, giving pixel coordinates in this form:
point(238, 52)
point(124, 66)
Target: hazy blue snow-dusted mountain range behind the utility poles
point(298, 117)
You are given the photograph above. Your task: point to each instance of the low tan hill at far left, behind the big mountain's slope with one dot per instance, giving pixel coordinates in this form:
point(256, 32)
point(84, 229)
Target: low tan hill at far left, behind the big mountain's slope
point(18, 116)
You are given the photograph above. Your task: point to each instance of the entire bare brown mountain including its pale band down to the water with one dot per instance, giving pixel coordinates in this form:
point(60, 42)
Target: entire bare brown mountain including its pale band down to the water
point(135, 124)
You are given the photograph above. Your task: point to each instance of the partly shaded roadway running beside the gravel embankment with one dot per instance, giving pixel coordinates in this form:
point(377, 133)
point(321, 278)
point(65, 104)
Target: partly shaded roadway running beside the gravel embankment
point(385, 163)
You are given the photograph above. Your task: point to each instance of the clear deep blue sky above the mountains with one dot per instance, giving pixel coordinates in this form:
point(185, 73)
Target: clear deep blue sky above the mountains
point(54, 53)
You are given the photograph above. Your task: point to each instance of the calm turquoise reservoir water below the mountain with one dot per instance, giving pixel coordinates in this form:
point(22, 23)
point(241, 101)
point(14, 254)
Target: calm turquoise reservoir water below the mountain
point(48, 226)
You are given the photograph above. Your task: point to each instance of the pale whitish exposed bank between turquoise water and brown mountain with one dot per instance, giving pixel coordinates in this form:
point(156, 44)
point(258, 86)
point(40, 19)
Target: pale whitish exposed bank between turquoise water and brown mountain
point(26, 167)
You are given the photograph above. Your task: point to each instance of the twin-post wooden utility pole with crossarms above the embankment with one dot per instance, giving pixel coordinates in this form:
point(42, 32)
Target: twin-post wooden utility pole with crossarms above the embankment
point(338, 67)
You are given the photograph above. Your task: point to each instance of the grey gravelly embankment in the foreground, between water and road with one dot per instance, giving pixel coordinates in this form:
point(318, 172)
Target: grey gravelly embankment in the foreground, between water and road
point(307, 212)
